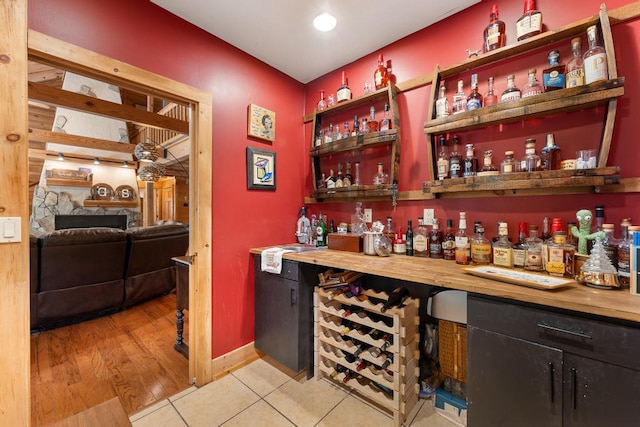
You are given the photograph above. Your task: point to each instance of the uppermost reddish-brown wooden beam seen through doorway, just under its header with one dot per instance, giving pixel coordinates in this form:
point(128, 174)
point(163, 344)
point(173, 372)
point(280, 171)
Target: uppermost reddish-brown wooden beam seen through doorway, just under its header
point(75, 101)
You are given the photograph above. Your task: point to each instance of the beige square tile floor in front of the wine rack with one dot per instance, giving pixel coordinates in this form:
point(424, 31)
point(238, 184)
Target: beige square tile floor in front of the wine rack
point(261, 395)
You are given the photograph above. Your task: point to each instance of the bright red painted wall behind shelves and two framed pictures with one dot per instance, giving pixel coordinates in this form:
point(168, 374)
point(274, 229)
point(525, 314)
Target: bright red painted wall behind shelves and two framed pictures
point(144, 35)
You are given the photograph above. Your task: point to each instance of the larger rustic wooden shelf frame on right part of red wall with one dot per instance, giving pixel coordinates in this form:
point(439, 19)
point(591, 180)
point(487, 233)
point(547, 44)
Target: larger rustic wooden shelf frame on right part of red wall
point(566, 99)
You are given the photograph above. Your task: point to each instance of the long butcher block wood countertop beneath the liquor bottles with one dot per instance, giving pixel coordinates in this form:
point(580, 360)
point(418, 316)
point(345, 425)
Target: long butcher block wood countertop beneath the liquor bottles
point(616, 304)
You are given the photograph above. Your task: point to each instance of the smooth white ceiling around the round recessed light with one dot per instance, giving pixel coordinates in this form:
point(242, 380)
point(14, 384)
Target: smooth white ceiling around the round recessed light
point(281, 34)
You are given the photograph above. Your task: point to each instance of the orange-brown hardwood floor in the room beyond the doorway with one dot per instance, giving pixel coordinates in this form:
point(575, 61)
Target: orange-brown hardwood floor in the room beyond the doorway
point(127, 354)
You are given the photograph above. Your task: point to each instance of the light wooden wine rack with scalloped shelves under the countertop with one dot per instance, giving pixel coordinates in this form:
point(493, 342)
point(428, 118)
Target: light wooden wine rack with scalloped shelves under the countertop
point(345, 324)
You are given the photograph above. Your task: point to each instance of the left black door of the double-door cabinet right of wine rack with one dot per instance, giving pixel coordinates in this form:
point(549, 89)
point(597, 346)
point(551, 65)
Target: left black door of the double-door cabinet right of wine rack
point(512, 382)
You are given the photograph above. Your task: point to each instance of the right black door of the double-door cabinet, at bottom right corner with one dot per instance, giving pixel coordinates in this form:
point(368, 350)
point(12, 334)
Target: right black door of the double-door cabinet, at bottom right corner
point(599, 394)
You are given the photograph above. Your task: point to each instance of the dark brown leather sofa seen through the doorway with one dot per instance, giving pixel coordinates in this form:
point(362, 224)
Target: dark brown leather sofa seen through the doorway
point(83, 272)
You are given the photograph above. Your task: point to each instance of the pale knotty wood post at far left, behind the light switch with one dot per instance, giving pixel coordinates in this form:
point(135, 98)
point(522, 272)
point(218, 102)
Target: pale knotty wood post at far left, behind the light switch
point(15, 396)
